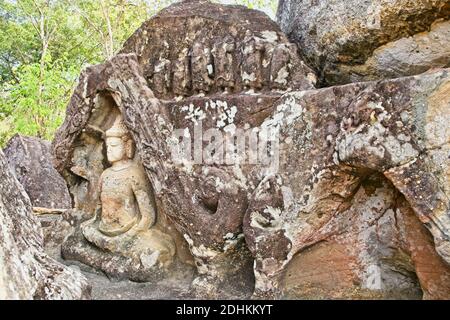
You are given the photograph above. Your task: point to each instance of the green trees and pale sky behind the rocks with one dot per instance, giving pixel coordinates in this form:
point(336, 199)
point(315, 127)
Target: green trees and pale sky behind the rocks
point(44, 45)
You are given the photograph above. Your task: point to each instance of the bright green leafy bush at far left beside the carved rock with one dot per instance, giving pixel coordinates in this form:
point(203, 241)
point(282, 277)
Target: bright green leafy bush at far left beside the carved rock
point(26, 111)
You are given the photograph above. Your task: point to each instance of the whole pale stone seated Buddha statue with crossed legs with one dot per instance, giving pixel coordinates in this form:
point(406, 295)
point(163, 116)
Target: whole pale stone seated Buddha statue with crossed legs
point(125, 216)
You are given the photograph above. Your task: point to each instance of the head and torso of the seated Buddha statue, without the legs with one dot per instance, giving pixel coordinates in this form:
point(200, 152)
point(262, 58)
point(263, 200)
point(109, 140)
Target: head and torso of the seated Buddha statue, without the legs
point(124, 189)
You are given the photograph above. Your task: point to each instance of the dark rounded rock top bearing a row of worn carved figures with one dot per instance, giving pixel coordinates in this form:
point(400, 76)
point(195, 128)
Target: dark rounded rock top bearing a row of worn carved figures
point(200, 47)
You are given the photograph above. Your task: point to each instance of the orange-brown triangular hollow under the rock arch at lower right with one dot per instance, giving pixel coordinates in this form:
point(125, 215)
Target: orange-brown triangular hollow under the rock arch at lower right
point(374, 248)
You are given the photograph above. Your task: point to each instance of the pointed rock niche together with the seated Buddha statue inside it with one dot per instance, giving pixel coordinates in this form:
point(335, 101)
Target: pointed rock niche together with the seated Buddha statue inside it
point(119, 229)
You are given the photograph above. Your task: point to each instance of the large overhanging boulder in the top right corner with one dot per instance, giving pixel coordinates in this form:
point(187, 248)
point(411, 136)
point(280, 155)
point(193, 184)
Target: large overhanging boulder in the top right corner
point(350, 41)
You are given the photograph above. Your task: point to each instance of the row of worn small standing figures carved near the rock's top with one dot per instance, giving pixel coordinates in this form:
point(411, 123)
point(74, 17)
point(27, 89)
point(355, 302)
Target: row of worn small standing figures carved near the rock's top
point(256, 63)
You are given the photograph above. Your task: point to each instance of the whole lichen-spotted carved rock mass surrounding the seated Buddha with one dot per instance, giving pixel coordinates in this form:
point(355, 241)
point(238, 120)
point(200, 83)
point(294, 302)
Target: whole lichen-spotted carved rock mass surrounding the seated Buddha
point(252, 167)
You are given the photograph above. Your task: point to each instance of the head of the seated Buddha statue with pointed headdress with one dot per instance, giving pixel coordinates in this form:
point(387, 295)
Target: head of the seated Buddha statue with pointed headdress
point(119, 143)
